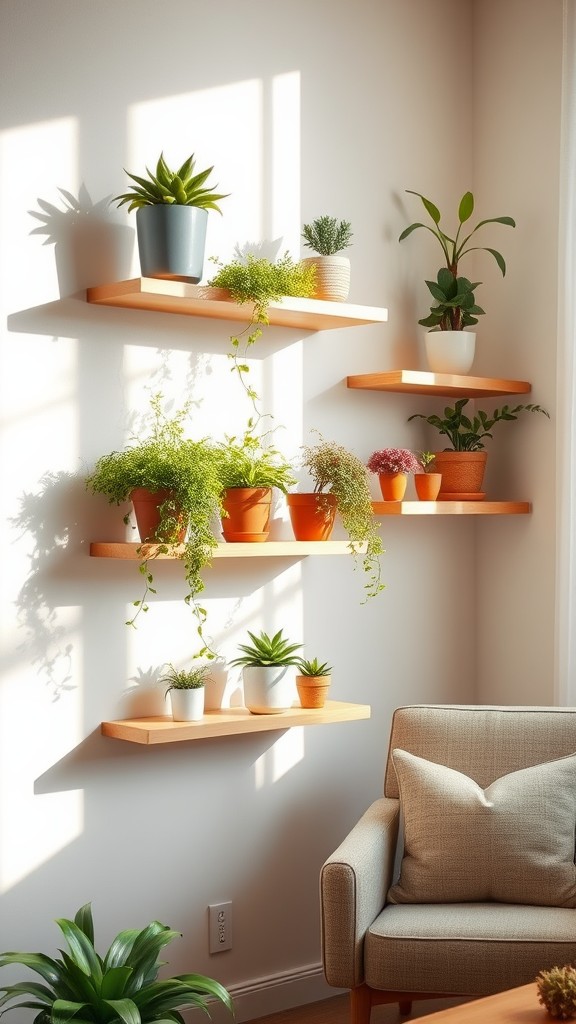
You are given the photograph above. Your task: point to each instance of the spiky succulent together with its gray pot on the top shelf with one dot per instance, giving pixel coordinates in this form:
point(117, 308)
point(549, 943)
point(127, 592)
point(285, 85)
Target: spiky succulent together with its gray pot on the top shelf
point(172, 220)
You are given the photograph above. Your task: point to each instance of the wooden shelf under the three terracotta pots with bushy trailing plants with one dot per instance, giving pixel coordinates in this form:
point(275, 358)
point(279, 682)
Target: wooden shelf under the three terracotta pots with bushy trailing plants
point(271, 549)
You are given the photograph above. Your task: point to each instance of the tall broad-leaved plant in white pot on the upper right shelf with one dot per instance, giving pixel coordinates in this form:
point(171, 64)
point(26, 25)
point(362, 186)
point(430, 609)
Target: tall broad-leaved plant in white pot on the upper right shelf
point(450, 349)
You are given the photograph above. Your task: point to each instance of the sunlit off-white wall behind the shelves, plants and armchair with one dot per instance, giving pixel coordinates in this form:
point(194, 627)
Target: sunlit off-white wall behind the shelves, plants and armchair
point(304, 110)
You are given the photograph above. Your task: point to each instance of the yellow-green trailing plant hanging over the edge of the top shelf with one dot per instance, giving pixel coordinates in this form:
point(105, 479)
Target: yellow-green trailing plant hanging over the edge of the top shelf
point(260, 282)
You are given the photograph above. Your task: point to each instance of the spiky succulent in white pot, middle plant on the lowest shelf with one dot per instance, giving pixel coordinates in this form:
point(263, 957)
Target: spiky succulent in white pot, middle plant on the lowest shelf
point(269, 686)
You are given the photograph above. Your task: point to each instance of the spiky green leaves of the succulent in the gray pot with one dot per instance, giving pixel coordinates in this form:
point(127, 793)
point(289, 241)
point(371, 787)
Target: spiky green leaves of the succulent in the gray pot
point(182, 188)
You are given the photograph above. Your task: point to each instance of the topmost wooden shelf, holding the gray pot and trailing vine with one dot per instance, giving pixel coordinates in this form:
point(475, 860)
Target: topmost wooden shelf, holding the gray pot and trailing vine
point(199, 301)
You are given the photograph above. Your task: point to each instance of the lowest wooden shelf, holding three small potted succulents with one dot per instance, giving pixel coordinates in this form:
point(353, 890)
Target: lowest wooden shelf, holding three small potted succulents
point(232, 722)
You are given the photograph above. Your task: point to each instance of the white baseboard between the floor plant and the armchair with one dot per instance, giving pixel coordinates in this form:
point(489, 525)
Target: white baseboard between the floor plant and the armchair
point(270, 996)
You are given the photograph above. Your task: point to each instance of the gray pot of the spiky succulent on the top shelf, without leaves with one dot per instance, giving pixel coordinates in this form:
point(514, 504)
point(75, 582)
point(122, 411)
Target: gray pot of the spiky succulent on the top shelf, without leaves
point(172, 242)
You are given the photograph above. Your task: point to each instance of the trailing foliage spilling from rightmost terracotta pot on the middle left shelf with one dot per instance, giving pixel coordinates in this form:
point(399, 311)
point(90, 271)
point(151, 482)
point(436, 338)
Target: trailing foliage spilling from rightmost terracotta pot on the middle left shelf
point(338, 472)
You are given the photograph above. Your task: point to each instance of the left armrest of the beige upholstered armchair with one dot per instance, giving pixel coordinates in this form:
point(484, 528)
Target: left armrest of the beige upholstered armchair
point(354, 883)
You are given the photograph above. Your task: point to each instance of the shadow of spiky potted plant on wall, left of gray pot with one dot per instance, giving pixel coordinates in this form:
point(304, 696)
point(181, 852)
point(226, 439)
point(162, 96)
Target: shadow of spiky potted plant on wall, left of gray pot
point(90, 246)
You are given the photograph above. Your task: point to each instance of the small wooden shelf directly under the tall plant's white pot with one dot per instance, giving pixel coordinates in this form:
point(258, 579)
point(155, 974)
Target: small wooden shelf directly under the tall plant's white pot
point(423, 382)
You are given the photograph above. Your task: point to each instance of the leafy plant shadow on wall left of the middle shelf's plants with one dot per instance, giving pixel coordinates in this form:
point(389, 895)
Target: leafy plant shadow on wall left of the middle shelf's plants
point(45, 517)
